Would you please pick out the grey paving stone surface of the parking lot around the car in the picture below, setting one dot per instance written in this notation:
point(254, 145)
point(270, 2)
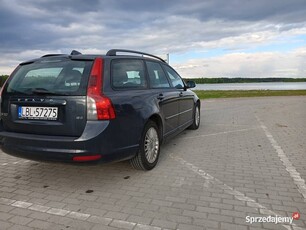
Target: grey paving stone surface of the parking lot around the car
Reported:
point(247, 160)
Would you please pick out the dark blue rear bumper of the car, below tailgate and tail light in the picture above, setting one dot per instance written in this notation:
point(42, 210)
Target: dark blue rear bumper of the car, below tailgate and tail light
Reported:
point(94, 141)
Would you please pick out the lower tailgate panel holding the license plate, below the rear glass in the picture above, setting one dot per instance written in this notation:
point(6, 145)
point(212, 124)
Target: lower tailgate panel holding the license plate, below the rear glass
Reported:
point(63, 116)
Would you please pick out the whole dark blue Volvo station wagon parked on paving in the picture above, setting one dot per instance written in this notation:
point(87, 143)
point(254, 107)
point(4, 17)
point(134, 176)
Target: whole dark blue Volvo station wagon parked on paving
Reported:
point(81, 108)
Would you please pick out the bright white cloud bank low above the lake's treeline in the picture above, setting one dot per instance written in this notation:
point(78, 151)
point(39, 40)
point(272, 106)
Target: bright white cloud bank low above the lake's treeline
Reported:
point(264, 64)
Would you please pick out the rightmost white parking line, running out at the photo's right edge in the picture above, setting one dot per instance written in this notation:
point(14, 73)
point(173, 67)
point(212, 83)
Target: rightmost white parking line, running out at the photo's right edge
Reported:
point(295, 175)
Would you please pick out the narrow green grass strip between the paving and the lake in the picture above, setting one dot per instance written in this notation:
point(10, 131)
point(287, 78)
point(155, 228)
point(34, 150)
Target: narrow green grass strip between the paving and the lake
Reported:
point(206, 94)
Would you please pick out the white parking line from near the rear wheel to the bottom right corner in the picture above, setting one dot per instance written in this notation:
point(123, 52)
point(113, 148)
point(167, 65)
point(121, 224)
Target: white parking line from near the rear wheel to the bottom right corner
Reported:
point(229, 190)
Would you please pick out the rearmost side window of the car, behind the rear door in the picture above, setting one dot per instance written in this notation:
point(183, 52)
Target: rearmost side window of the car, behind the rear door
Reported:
point(128, 74)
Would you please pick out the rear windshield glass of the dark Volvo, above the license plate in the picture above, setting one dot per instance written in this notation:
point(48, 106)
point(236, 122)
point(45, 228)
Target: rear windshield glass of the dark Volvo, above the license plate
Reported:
point(54, 77)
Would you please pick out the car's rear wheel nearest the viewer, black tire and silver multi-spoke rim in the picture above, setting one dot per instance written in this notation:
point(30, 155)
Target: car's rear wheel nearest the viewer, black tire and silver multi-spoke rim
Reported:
point(147, 156)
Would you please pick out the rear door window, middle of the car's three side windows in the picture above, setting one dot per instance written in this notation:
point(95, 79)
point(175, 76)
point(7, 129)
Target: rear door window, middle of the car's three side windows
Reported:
point(157, 76)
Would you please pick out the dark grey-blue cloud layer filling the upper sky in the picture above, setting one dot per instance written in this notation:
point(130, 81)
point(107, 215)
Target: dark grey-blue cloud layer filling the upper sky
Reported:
point(158, 27)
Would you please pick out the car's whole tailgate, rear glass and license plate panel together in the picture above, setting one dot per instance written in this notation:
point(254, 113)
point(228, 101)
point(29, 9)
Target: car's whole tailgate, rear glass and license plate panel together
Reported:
point(47, 96)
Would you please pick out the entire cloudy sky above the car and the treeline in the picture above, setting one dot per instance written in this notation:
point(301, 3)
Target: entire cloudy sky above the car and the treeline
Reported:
point(204, 38)
